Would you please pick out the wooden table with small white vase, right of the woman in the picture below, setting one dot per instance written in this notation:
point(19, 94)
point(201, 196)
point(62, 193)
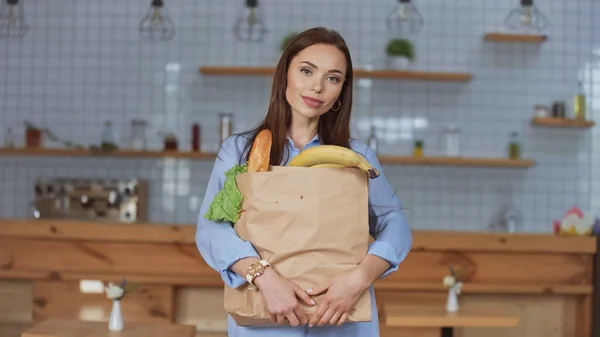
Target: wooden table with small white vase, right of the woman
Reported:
point(428, 317)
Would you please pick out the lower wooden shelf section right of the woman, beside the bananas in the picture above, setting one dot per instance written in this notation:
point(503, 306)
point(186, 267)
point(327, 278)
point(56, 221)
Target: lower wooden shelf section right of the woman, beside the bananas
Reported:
point(458, 161)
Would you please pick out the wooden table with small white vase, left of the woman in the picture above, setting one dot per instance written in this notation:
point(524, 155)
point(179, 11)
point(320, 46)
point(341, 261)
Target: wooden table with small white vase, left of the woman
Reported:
point(73, 328)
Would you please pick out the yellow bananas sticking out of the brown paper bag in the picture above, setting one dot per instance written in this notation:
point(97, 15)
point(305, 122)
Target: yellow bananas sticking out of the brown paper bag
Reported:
point(333, 154)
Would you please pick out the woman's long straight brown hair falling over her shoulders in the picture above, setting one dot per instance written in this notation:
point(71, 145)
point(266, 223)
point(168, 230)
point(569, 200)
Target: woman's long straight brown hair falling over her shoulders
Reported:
point(334, 126)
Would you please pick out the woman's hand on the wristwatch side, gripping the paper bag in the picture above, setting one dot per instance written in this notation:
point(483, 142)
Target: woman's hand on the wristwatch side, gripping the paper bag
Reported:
point(281, 298)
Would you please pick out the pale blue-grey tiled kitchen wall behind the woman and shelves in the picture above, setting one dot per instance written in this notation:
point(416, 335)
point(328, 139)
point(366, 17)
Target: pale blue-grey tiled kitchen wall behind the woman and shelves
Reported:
point(83, 63)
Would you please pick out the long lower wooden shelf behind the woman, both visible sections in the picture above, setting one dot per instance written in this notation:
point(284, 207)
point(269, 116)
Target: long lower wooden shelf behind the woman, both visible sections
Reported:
point(392, 160)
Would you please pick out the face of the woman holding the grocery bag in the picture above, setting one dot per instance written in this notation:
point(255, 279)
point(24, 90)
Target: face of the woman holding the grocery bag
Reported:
point(315, 79)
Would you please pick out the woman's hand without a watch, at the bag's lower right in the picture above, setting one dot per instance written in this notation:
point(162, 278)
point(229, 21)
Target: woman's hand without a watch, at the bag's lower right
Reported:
point(343, 293)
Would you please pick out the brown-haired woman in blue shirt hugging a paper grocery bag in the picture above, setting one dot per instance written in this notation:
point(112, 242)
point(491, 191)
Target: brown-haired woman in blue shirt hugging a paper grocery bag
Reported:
point(310, 104)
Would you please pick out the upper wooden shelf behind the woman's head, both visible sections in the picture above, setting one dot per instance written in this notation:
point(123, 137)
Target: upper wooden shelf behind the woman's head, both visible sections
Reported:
point(358, 73)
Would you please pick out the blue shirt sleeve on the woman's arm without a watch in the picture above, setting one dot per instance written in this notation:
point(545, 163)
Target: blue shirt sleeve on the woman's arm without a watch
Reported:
point(387, 224)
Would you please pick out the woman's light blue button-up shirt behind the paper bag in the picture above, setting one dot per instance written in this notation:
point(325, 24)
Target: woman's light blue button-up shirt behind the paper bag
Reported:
point(221, 247)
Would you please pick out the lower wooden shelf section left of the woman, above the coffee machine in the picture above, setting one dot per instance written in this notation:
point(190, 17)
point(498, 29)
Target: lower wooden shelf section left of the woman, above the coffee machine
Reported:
point(44, 152)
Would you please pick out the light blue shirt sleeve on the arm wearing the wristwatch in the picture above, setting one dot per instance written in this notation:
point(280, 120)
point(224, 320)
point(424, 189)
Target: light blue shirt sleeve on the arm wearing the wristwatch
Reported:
point(218, 243)
